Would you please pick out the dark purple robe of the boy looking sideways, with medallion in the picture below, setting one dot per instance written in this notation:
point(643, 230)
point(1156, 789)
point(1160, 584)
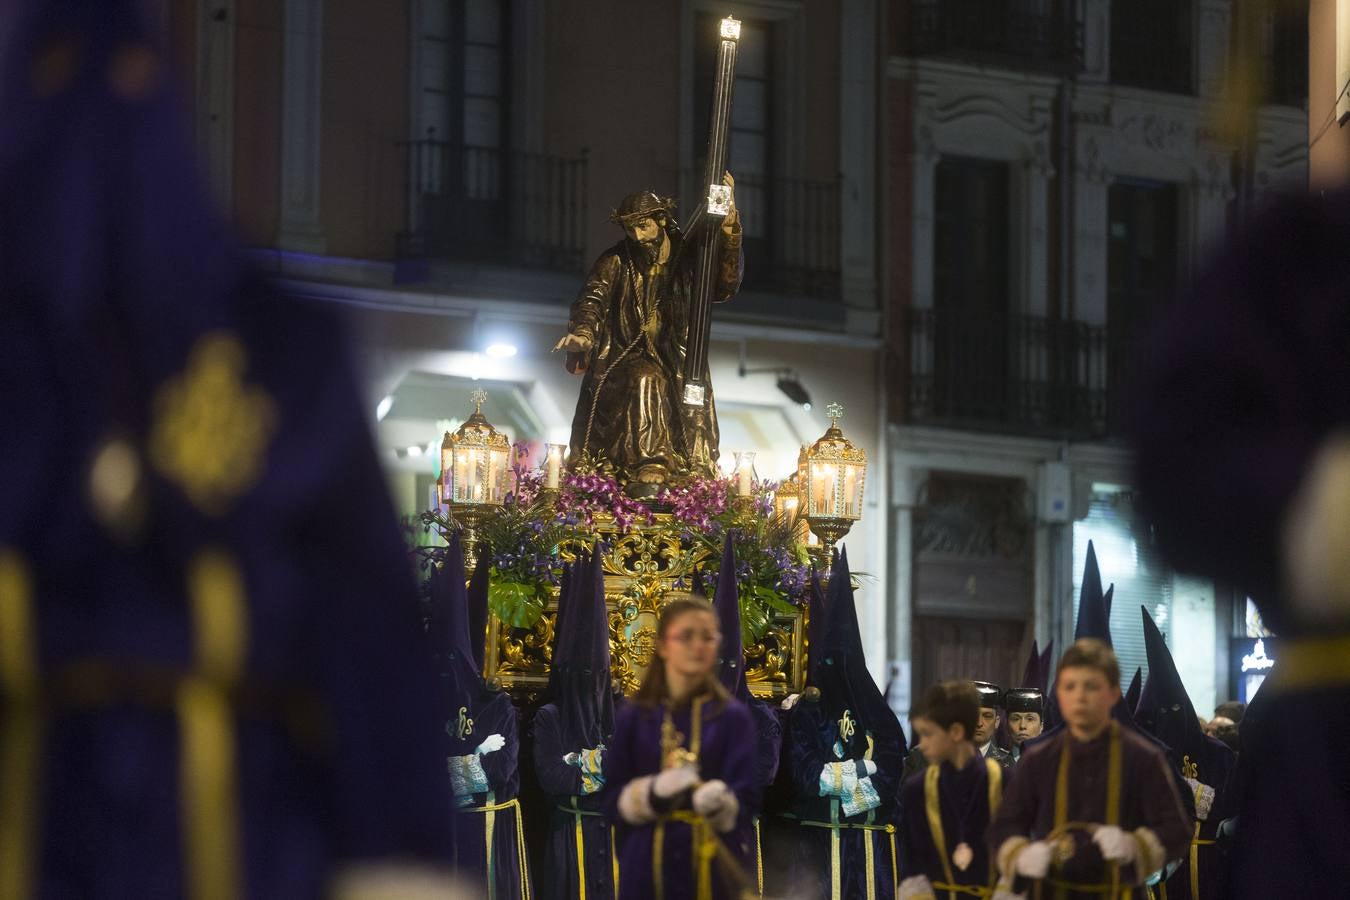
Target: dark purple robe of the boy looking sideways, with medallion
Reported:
point(965, 809)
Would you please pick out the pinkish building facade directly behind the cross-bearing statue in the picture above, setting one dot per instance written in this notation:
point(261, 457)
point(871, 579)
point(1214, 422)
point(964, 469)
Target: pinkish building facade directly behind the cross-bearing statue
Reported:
point(445, 171)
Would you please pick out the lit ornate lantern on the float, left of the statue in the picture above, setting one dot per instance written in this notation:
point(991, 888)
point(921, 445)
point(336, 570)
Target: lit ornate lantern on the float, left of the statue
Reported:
point(475, 469)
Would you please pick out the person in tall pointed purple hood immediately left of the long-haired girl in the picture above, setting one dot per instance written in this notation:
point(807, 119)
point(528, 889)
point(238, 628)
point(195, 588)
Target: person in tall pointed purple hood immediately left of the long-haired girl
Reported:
point(572, 733)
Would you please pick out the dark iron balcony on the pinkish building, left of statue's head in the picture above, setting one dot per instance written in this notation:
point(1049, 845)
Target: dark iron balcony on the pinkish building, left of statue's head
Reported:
point(484, 204)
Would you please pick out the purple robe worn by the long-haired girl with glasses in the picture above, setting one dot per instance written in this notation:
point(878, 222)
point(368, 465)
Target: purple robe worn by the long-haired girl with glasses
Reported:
point(724, 754)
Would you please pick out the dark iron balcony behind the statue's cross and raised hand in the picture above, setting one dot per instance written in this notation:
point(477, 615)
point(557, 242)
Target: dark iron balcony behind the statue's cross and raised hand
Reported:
point(792, 233)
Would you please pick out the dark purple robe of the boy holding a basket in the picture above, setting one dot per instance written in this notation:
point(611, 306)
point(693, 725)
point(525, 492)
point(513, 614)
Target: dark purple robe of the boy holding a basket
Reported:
point(1148, 801)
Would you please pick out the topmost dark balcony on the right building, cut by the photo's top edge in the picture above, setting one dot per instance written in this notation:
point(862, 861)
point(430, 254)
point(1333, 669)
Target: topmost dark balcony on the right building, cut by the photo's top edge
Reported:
point(1019, 34)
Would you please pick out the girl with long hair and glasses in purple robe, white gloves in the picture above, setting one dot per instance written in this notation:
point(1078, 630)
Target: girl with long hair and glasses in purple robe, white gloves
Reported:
point(682, 774)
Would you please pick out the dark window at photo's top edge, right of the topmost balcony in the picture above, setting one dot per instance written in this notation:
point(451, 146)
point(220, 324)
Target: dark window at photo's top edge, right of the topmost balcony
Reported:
point(1151, 44)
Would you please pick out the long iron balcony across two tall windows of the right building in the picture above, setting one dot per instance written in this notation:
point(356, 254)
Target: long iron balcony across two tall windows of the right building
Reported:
point(1012, 374)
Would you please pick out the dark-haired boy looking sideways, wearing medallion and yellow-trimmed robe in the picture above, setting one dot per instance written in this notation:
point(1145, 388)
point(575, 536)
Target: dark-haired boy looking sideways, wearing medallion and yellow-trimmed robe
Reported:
point(950, 805)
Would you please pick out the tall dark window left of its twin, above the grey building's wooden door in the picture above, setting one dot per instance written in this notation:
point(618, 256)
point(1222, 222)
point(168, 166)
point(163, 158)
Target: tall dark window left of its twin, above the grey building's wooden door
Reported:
point(971, 291)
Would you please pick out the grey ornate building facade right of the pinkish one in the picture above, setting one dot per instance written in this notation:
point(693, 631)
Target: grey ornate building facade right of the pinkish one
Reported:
point(1054, 173)
